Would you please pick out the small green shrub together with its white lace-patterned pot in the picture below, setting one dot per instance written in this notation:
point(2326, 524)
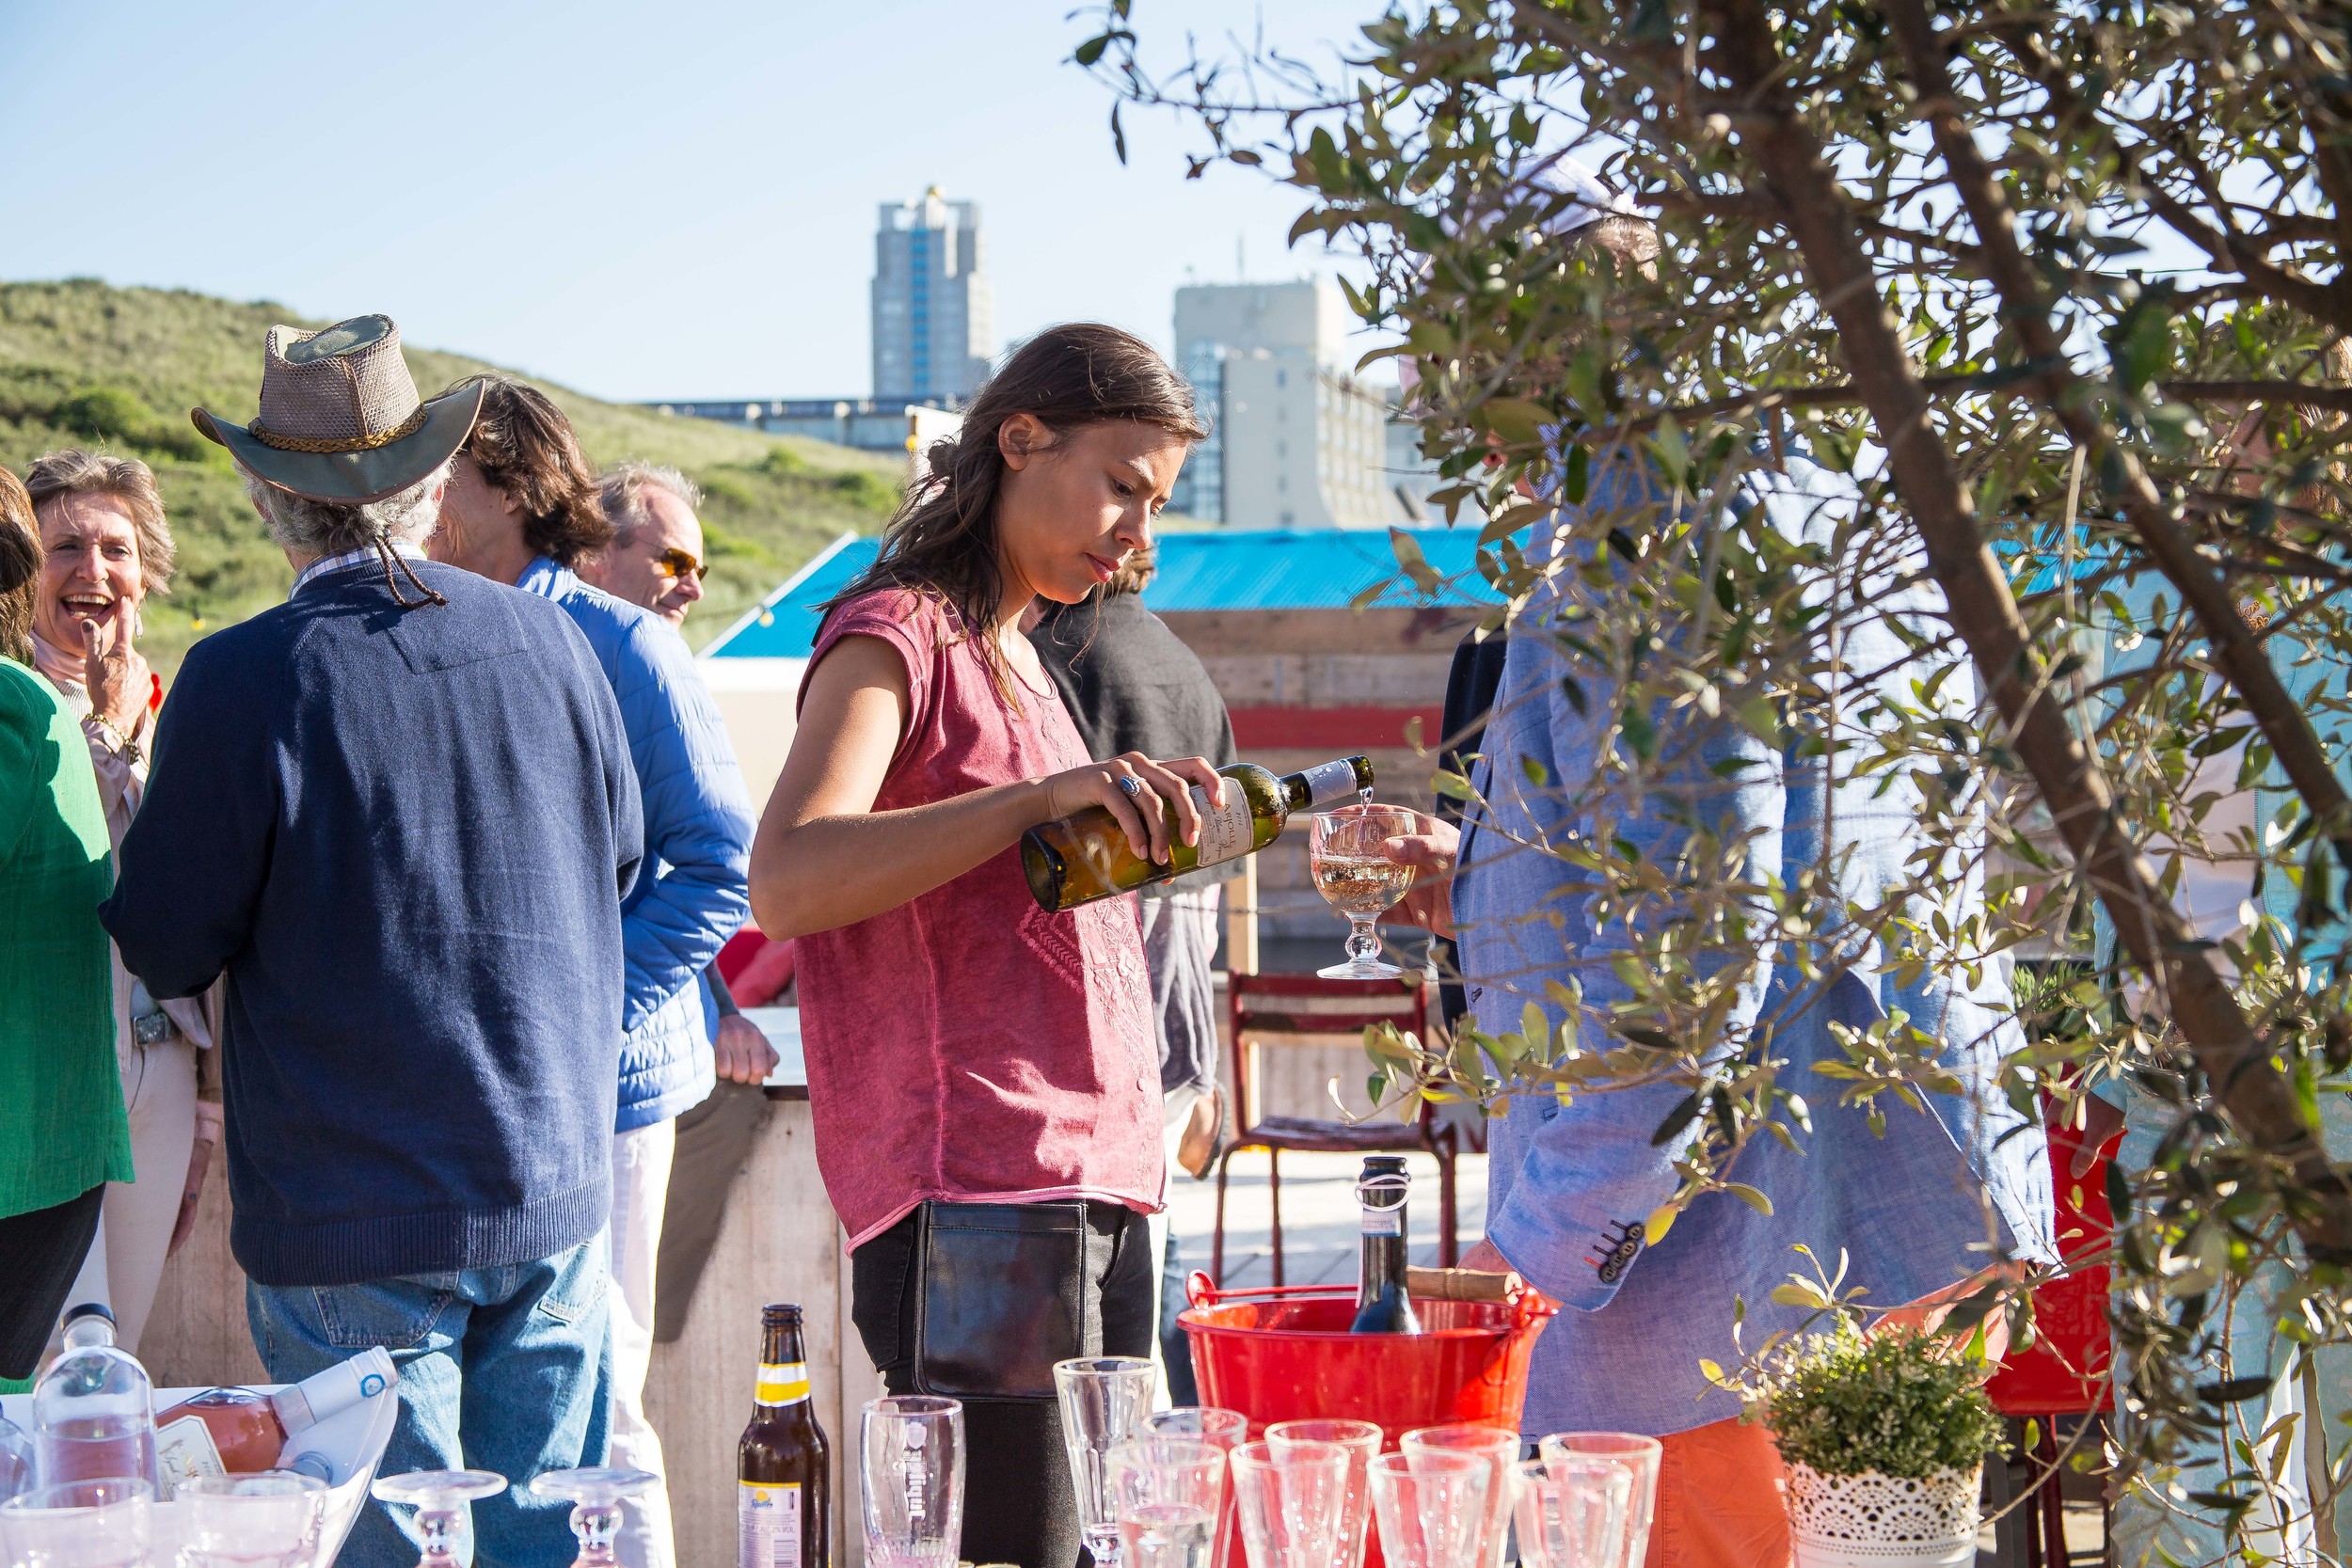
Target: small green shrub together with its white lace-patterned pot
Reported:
point(1885, 1440)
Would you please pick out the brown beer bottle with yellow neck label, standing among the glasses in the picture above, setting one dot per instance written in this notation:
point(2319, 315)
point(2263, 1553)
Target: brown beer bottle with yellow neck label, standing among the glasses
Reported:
point(784, 1468)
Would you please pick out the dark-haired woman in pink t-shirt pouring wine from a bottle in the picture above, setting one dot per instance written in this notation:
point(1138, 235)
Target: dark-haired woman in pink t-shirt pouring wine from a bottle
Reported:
point(982, 1071)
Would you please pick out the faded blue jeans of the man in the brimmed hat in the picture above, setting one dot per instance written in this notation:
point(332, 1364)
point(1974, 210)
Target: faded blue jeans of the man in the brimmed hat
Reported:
point(497, 1372)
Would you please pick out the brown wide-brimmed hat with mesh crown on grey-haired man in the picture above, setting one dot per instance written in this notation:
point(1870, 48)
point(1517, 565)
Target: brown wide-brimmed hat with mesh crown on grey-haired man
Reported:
point(340, 415)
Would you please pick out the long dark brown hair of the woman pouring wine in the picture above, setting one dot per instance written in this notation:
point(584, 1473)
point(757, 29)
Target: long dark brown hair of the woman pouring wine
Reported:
point(944, 540)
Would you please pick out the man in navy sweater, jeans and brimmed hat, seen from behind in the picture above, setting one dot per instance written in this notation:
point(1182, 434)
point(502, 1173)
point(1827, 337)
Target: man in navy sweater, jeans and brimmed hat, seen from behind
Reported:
point(399, 815)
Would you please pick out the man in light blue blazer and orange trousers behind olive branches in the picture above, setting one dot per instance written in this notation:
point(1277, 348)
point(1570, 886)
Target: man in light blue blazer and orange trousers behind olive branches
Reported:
point(1935, 1200)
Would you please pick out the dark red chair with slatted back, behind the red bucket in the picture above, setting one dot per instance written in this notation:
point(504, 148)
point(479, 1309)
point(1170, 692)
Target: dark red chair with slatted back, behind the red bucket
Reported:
point(1307, 1010)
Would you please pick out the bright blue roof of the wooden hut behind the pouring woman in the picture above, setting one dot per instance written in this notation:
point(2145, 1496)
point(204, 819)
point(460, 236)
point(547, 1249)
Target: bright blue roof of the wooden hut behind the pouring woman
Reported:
point(1241, 570)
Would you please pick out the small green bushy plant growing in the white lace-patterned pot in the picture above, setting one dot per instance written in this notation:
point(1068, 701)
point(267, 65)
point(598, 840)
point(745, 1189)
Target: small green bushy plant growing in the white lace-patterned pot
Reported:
point(1895, 1402)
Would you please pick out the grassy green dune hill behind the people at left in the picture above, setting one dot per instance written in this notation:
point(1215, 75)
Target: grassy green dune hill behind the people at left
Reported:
point(91, 366)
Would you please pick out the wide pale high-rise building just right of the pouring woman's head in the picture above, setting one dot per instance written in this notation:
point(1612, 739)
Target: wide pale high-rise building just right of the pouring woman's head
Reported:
point(1295, 438)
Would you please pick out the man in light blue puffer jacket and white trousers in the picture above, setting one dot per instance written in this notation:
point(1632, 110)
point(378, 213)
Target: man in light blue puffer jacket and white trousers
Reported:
point(523, 509)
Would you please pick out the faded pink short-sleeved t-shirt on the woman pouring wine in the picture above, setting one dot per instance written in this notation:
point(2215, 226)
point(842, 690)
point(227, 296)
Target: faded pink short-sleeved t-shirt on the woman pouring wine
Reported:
point(970, 1045)
